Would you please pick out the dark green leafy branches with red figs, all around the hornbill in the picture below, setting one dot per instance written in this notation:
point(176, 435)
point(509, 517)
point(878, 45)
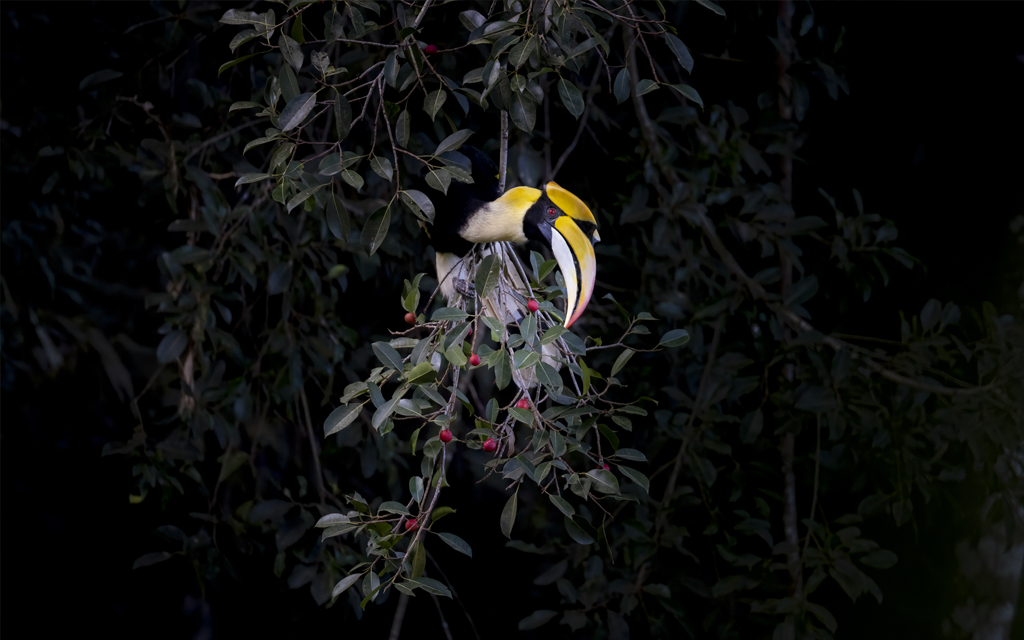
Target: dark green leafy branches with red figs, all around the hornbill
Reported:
point(756, 453)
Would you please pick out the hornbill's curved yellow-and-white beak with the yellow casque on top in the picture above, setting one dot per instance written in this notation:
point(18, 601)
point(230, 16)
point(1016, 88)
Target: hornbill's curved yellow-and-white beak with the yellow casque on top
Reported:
point(573, 243)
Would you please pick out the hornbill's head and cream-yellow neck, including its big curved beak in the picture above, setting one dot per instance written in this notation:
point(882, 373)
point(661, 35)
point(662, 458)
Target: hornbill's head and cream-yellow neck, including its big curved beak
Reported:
point(553, 217)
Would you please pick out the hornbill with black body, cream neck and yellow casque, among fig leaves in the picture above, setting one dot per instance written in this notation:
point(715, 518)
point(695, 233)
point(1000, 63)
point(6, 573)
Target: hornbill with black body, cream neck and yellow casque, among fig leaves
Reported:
point(480, 214)
